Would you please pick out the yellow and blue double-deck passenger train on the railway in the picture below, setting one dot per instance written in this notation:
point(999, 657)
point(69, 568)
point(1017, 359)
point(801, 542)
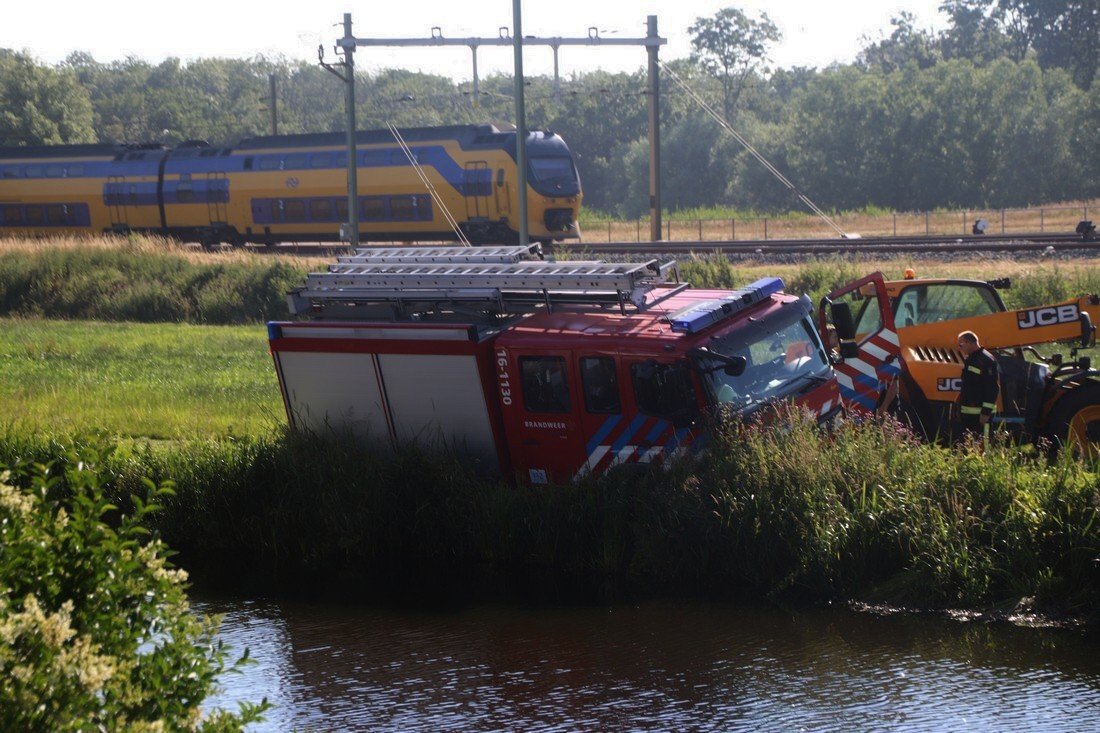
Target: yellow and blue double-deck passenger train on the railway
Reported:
point(293, 189)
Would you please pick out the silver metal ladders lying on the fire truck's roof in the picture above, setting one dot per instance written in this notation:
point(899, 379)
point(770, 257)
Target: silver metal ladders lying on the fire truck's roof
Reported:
point(398, 282)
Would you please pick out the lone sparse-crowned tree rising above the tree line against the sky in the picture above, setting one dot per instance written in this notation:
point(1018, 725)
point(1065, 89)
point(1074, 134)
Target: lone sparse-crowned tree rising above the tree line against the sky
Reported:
point(731, 46)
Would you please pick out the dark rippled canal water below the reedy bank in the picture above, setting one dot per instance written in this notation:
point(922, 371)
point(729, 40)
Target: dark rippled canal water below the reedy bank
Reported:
point(656, 666)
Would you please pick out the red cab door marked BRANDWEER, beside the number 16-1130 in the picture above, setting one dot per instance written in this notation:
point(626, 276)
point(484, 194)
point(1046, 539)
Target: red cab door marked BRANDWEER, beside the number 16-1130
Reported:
point(545, 434)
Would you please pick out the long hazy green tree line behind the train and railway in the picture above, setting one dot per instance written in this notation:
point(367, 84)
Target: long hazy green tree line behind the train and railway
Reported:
point(997, 111)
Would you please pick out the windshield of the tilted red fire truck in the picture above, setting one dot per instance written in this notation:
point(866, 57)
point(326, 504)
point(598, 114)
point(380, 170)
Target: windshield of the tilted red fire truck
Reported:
point(780, 352)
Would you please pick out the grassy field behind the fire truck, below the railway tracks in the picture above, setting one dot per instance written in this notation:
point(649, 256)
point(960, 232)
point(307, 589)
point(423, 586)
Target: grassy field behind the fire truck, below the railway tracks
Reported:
point(64, 368)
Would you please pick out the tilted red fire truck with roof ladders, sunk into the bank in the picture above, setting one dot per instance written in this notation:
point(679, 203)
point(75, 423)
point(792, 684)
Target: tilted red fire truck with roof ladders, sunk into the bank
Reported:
point(548, 371)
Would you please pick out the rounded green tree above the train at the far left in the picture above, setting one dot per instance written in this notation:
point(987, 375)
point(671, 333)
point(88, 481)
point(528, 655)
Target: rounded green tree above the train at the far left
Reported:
point(40, 105)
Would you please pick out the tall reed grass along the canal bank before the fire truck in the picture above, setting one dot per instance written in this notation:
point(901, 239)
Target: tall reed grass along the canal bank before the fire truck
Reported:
point(865, 513)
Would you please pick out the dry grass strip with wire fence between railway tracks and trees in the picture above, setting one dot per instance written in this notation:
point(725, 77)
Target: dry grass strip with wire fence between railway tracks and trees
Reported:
point(724, 223)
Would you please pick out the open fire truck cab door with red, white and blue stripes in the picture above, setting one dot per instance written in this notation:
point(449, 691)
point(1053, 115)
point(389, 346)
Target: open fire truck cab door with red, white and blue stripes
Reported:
point(872, 360)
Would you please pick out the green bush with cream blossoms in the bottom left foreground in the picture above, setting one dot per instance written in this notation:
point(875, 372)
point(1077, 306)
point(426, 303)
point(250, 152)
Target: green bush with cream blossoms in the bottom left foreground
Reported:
point(96, 632)
